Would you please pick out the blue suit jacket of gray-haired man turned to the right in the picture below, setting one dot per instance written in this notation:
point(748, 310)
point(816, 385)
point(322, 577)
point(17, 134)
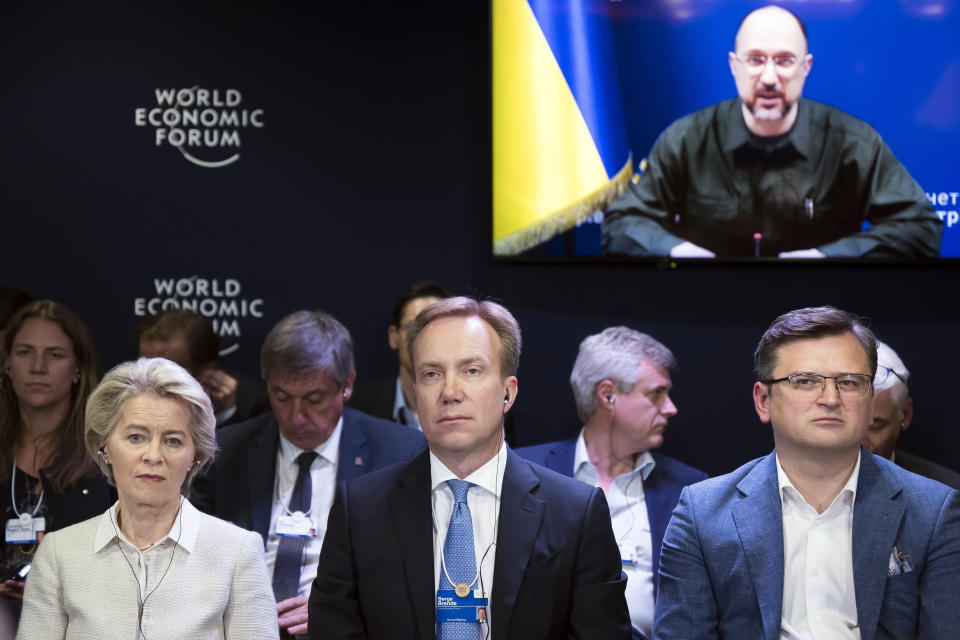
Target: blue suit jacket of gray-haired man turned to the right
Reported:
point(661, 490)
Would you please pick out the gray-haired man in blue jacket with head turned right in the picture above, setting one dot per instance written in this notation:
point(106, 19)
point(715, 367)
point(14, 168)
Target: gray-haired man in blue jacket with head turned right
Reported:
point(621, 385)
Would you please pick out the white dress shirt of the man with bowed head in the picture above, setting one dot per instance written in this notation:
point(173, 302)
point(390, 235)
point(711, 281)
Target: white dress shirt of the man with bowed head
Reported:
point(323, 481)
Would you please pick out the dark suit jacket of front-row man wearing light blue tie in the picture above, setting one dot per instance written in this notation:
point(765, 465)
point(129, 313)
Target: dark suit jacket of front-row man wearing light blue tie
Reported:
point(556, 573)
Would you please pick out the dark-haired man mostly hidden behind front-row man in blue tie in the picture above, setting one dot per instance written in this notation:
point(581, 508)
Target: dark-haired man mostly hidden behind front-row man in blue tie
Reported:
point(394, 399)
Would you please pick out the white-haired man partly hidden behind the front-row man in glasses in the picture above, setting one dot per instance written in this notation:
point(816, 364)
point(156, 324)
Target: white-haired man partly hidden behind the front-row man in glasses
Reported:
point(892, 413)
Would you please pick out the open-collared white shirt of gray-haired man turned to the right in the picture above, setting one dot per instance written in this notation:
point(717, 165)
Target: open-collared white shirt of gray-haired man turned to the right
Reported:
point(631, 528)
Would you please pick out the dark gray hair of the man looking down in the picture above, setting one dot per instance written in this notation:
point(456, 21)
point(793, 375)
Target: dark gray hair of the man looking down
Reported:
point(308, 341)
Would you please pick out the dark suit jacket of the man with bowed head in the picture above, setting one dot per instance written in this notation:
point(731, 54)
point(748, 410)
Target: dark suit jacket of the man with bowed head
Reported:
point(238, 486)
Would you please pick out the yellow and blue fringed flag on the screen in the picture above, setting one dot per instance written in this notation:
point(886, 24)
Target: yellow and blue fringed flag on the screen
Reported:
point(559, 145)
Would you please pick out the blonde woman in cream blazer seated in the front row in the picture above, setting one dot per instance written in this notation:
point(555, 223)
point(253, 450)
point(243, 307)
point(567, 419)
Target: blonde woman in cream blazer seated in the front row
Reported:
point(152, 567)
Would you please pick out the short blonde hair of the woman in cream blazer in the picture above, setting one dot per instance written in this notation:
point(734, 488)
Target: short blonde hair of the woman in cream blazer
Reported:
point(159, 378)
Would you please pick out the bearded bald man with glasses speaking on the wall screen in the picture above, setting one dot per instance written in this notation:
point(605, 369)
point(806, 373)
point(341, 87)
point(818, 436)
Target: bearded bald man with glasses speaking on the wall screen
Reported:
point(772, 174)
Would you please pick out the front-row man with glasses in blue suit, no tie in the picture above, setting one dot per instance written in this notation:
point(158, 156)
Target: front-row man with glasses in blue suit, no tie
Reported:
point(821, 538)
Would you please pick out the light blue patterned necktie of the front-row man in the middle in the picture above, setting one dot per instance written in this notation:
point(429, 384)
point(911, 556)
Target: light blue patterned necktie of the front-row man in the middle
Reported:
point(460, 560)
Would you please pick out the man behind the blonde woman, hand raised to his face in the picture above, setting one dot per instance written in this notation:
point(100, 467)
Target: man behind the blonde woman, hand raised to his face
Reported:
point(189, 340)
